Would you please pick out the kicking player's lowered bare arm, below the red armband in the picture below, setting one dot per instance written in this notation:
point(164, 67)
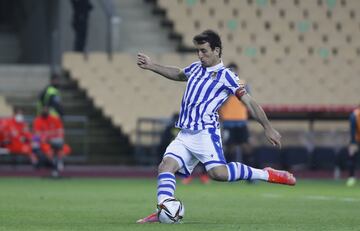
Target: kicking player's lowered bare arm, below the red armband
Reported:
point(259, 115)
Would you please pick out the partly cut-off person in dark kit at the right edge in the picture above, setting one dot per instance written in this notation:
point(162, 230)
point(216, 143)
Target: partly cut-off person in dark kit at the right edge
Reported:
point(353, 148)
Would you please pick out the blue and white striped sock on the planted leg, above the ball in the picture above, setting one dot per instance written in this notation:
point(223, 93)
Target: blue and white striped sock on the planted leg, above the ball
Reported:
point(166, 186)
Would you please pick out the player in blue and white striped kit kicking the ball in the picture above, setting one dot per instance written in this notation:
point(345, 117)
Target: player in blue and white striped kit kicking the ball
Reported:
point(209, 84)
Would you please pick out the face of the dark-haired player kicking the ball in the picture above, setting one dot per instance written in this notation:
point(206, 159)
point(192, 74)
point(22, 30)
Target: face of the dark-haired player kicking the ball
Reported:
point(207, 56)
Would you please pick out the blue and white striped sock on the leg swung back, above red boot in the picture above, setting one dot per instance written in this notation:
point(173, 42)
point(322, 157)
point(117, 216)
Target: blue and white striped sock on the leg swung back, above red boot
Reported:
point(238, 171)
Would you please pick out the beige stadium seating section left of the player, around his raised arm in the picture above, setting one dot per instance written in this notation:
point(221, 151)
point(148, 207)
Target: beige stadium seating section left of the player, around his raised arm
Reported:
point(118, 85)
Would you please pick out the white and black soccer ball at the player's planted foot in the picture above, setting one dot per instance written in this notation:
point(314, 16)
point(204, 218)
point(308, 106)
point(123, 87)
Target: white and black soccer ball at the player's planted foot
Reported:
point(171, 211)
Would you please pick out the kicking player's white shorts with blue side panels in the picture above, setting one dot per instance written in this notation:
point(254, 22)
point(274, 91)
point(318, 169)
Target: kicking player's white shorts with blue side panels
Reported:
point(190, 147)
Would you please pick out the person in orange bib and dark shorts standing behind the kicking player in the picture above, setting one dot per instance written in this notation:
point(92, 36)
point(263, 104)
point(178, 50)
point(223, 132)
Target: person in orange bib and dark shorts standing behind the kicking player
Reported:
point(234, 117)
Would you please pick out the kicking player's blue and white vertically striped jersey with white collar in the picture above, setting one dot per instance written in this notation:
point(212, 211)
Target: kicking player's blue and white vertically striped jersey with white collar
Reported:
point(206, 90)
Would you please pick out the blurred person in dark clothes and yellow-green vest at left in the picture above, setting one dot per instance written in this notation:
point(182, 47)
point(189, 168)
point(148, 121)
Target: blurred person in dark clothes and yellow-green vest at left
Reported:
point(50, 97)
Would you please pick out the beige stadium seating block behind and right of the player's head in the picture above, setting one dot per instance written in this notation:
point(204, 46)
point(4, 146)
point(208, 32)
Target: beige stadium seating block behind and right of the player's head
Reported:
point(281, 43)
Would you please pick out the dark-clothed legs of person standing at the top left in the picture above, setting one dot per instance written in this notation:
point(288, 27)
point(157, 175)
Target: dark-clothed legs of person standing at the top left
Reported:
point(81, 11)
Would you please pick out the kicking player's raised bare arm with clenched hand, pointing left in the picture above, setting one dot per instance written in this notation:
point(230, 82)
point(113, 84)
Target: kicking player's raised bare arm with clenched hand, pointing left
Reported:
point(173, 73)
